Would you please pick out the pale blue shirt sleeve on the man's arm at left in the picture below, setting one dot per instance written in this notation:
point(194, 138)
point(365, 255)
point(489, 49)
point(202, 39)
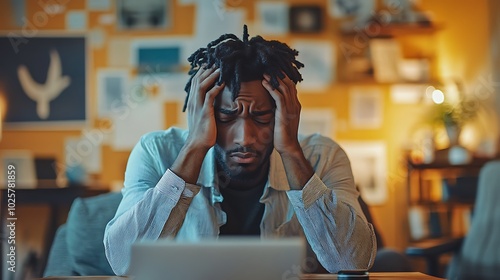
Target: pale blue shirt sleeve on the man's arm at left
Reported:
point(150, 199)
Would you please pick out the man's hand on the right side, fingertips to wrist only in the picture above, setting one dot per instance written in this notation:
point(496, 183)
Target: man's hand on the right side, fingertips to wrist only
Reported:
point(287, 115)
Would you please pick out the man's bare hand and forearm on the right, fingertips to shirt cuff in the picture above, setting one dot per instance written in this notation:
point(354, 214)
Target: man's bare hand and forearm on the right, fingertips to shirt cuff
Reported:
point(286, 129)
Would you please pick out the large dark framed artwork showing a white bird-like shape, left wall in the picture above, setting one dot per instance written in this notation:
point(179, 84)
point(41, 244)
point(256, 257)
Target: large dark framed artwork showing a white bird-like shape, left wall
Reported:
point(43, 80)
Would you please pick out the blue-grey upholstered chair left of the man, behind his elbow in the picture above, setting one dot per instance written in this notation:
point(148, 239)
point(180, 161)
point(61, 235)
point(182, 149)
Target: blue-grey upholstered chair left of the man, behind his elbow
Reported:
point(78, 247)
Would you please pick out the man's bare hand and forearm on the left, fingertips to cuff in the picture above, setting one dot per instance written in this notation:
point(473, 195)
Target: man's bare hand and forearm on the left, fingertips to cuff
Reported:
point(201, 122)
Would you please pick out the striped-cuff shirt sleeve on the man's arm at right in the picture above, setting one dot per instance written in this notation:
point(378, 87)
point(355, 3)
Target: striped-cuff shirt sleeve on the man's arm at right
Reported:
point(332, 220)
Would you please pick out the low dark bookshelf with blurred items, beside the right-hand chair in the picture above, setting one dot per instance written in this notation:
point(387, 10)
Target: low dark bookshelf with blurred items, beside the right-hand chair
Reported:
point(441, 198)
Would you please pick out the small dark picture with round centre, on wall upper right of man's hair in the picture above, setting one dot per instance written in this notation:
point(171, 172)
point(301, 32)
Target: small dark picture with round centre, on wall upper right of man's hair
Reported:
point(306, 19)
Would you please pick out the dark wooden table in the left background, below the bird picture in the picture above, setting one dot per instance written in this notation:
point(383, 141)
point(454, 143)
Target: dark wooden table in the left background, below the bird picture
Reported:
point(56, 198)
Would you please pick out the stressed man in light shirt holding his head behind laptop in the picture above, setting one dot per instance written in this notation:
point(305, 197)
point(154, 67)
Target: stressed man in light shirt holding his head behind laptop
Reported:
point(242, 168)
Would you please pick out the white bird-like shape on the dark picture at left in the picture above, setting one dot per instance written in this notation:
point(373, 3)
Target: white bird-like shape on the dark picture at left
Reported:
point(42, 94)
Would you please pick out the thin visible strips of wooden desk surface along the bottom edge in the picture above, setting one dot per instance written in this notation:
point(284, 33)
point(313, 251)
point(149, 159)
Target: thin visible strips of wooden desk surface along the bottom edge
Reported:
point(373, 276)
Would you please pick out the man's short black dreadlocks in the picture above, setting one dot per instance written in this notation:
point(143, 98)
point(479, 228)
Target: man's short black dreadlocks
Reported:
point(244, 61)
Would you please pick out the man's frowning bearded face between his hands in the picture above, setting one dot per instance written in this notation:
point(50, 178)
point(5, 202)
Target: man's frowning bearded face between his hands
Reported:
point(245, 130)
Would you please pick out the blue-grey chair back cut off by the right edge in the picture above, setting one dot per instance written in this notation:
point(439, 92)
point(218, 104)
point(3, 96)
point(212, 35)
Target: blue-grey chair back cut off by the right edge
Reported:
point(479, 257)
